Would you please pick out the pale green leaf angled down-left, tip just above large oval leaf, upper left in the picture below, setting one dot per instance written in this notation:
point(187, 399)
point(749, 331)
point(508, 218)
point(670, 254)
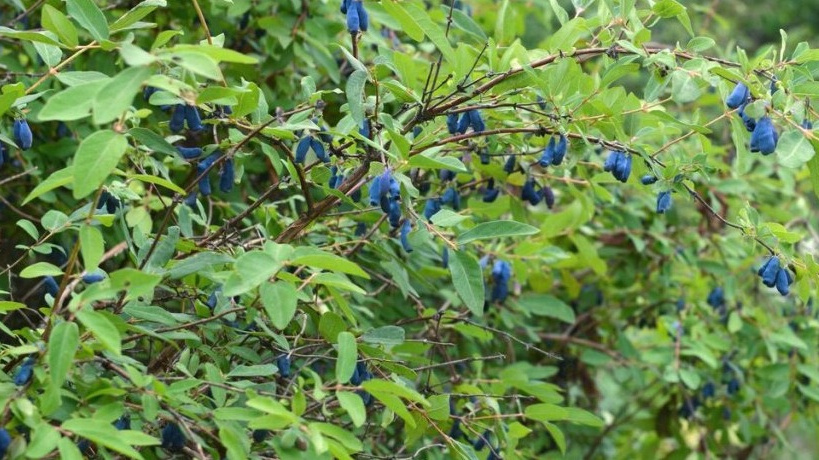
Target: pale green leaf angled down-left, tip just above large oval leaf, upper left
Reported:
point(117, 95)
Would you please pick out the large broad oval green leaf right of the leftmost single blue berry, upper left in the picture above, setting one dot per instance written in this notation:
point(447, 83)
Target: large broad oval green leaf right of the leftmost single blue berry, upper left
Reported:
point(97, 156)
